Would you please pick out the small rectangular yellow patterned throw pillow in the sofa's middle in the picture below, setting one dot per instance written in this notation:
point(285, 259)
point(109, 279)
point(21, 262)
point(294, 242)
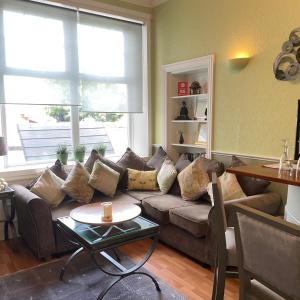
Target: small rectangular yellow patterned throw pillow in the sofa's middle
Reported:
point(142, 180)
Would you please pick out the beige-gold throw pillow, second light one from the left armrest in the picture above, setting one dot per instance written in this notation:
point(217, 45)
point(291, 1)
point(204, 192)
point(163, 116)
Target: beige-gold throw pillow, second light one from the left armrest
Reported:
point(76, 184)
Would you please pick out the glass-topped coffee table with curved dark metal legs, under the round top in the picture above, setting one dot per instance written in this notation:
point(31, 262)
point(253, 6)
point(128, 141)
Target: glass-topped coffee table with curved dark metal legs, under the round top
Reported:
point(97, 239)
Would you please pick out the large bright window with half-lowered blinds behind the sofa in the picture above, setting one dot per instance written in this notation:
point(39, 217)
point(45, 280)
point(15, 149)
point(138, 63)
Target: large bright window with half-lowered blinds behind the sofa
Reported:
point(68, 78)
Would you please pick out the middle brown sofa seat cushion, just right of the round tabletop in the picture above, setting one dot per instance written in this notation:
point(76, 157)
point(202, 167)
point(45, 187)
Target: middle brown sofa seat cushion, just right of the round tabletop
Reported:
point(158, 207)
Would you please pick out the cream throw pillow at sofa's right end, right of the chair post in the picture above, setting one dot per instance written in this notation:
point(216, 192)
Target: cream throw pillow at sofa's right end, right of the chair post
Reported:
point(230, 187)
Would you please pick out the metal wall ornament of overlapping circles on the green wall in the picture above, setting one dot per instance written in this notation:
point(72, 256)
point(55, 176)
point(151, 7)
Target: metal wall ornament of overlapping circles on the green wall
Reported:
point(287, 64)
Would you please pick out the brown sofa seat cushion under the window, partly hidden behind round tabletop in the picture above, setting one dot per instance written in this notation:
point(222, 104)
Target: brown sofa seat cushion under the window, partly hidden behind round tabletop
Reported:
point(65, 207)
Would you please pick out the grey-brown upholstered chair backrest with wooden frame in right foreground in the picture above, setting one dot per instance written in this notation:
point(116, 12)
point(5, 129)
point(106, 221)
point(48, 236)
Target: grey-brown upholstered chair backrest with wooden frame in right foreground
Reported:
point(269, 251)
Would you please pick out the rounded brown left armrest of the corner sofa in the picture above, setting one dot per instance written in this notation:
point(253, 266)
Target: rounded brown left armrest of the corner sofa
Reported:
point(34, 222)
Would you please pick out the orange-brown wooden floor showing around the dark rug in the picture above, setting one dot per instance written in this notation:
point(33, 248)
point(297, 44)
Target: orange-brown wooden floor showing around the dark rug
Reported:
point(177, 270)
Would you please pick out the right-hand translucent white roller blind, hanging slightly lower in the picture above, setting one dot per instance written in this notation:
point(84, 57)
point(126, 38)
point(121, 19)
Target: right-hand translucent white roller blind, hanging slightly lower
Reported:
point(110, 64)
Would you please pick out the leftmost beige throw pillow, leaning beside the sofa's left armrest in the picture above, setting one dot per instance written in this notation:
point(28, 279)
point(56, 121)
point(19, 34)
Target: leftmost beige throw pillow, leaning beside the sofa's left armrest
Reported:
point(48, 186)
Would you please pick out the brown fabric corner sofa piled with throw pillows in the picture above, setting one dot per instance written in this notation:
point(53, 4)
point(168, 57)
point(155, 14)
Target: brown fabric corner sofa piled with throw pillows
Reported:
point(185, 225)
